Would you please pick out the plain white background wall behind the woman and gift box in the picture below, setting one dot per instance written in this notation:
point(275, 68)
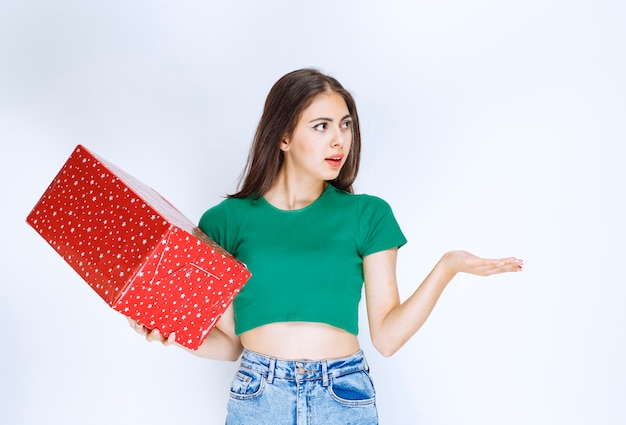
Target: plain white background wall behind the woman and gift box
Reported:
point(496, 127)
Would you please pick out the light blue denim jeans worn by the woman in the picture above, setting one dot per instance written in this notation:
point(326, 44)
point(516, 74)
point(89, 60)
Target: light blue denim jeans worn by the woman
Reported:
point(268, 391)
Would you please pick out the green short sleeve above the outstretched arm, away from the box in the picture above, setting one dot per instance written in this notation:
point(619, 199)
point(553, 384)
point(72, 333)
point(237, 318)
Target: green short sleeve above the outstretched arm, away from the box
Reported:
point(378, 227)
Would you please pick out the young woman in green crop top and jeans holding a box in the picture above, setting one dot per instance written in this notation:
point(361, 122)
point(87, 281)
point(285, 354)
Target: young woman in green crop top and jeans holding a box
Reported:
point(311, 245)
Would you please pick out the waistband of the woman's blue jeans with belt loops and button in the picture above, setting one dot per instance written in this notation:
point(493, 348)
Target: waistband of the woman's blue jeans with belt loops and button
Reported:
point(303, 370)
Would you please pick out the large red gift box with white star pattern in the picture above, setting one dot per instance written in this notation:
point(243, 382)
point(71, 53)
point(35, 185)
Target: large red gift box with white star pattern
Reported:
point(136, 250)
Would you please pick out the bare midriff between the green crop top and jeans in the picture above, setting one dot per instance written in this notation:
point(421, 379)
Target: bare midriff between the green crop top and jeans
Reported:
point(300, 341)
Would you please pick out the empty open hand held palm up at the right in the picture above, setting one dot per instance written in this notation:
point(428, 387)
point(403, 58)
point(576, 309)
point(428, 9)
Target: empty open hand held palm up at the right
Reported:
point(465, 262)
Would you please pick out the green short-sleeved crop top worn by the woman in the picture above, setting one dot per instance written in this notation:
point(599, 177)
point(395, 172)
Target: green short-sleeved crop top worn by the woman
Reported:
point(307, 264)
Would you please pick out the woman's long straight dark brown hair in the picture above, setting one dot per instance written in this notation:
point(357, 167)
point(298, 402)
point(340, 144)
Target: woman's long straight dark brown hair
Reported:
point(289, 96)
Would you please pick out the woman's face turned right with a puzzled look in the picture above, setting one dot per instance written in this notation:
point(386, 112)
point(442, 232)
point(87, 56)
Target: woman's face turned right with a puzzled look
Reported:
point(321, 140)
